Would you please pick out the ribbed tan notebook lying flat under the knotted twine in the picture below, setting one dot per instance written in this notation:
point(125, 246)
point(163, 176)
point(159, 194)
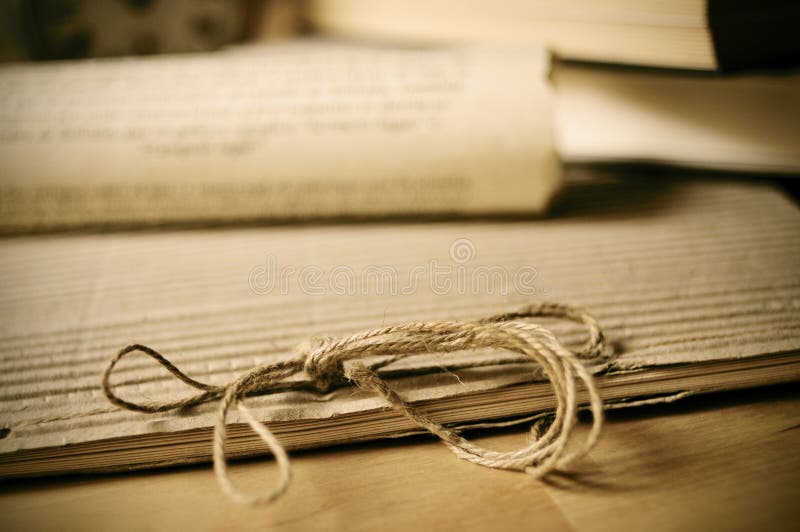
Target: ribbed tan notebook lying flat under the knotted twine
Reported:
point(694, 282)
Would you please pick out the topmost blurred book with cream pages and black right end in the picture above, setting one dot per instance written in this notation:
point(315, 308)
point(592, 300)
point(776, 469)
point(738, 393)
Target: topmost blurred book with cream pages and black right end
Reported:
point(690, 34)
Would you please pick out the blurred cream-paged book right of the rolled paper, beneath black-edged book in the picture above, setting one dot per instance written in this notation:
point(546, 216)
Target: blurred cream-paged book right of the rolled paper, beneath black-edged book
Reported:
point(744, 122)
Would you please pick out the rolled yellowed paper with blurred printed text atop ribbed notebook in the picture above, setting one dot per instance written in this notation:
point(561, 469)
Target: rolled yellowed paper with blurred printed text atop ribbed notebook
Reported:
point(307, 129)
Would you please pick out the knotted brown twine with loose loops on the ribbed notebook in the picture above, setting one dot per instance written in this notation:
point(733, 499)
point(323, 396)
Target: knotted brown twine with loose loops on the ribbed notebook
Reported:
point(324, 362)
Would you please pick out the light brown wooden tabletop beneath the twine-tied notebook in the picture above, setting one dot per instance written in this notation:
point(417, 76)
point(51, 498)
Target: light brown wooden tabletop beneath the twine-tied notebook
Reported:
point(724, 462)
